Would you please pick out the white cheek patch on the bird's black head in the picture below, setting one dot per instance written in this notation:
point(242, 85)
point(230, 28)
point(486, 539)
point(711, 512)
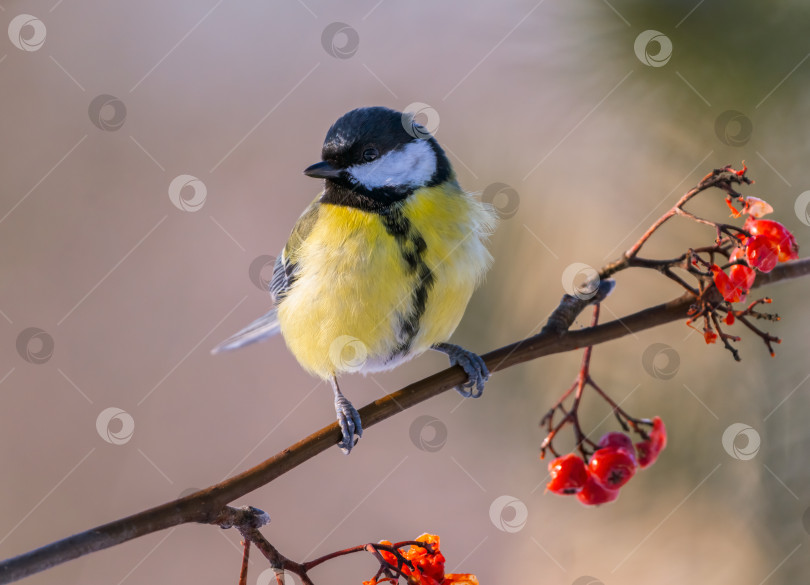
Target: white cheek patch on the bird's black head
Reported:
point(412, 166)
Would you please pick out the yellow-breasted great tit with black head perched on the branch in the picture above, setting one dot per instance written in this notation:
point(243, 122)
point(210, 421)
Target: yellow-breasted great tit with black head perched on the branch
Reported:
point(382, 263)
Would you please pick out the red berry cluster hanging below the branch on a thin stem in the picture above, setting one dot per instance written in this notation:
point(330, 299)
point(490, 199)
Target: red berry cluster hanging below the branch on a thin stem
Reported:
point(610, 467)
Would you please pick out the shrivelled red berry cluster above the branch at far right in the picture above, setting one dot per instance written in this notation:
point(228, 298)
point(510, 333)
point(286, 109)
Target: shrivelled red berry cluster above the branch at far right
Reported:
point(769, 243)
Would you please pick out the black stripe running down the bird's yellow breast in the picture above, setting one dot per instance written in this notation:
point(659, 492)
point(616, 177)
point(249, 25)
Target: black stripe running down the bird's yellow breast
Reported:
point(412, 246)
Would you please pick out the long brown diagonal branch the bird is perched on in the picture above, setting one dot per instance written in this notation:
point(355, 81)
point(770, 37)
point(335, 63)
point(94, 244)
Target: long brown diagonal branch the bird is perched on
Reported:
point(209, 506)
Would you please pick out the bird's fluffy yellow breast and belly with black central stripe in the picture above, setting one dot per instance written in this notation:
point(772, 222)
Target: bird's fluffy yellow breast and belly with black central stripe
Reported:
point(373, 290)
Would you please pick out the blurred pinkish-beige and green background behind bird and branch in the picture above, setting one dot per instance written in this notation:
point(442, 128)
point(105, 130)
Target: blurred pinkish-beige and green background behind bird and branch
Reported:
point(151, 159)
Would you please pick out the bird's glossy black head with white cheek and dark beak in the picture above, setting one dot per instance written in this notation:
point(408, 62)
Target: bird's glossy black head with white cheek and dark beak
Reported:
point(373, 157)
